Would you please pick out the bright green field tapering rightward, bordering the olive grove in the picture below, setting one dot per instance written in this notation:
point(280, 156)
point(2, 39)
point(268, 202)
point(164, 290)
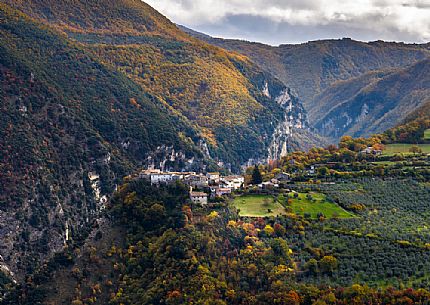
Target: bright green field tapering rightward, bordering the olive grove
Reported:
point(318, 204)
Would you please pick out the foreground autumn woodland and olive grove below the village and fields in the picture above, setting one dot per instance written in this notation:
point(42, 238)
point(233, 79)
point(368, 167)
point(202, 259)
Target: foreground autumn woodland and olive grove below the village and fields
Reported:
point(174, 253)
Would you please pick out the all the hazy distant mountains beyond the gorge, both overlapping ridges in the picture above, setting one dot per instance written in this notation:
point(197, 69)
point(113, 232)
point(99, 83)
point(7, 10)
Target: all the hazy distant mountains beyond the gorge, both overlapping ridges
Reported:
point(346, 86)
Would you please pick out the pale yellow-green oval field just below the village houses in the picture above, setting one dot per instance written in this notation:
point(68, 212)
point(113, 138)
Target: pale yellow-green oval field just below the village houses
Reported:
point(253, 206)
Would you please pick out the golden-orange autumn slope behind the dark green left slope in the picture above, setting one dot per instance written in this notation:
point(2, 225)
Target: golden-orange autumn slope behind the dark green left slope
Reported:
point(221, 93)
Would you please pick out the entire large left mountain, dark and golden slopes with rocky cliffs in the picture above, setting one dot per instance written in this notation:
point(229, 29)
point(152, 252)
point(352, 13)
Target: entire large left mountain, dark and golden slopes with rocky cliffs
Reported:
point(93, 90)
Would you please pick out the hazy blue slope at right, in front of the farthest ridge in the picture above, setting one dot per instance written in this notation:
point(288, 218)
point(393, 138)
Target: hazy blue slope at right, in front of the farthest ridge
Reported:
point(374, 102)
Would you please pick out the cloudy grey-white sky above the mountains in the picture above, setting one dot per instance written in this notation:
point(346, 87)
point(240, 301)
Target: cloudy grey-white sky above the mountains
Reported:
point(294, 21)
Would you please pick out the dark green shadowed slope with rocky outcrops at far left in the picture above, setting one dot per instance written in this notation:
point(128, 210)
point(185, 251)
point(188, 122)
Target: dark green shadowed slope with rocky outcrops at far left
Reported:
point(70, 129)
